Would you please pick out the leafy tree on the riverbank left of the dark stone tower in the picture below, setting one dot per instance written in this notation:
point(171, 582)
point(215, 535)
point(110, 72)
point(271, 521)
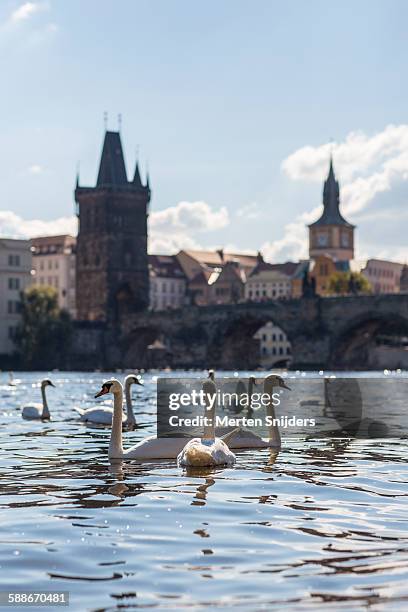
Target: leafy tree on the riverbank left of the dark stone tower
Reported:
point(44, 334)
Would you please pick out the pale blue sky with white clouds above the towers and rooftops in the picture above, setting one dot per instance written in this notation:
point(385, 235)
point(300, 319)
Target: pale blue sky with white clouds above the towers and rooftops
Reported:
point(232, 106)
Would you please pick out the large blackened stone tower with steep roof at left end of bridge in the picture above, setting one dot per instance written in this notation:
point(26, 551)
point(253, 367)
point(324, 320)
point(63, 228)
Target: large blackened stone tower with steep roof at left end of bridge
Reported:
point(112, 276)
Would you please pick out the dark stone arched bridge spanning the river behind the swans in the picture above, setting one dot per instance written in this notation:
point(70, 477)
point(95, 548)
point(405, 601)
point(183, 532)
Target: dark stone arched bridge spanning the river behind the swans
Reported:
point(330, 332)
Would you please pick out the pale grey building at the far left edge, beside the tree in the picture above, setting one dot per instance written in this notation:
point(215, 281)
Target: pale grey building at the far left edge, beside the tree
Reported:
point(15, 277)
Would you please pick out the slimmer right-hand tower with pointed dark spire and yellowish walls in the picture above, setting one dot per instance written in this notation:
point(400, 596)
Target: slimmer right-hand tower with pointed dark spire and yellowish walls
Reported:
point(331, 234)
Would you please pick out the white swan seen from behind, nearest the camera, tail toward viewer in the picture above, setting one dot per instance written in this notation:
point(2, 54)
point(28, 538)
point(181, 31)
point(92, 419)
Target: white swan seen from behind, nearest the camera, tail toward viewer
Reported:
point(207, 451)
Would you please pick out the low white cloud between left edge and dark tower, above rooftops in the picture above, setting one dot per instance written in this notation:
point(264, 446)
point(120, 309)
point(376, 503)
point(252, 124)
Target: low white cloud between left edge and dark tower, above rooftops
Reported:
point(13, 226)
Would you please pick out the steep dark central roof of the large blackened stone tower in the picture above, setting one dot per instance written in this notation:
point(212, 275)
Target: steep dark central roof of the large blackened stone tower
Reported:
point(112, 171)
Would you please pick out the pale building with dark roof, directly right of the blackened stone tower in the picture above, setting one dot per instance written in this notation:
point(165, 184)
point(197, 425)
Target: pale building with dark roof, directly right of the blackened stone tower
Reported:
point(168, 283)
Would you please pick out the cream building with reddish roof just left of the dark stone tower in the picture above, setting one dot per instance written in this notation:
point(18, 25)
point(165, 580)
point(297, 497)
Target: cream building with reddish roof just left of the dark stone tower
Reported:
point(54, 266)
